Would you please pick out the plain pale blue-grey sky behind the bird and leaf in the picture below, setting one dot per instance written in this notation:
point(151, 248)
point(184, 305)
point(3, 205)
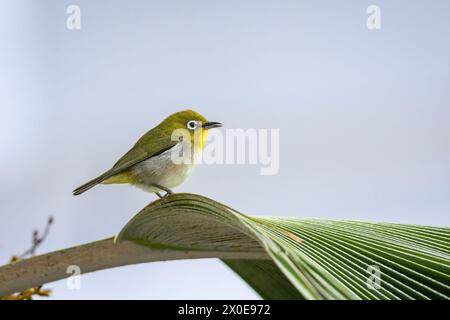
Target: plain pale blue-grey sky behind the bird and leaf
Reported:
point(363, 117)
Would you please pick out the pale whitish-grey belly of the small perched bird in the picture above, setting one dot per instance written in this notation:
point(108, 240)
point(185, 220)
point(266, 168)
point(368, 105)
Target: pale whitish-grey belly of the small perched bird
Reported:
point(162, 170)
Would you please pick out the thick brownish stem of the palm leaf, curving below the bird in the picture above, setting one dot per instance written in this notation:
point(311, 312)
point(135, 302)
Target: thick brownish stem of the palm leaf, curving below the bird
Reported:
point(98, 255)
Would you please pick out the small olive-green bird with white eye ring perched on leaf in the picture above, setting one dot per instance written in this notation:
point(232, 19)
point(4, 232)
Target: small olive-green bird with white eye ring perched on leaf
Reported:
point(150, 164)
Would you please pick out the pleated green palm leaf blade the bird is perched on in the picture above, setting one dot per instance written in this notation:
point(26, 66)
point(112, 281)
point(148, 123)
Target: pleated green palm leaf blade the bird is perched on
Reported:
point(321, 259)
